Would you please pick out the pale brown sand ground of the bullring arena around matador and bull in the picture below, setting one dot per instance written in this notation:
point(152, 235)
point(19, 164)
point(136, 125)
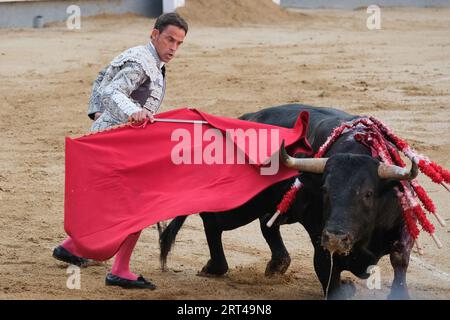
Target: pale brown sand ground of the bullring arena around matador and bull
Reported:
point(400, 74)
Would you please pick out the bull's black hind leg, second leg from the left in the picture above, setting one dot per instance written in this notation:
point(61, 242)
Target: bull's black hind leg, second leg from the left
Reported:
point(280, 261)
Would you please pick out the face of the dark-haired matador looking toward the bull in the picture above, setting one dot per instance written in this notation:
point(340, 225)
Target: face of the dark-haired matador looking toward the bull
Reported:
point(167, 42)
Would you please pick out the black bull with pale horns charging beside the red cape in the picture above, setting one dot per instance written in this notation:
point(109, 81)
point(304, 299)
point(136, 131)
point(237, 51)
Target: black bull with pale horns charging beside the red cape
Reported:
point(348, 209)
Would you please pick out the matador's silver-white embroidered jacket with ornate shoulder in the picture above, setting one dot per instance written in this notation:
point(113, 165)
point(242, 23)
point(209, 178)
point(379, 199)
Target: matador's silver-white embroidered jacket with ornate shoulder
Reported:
point(133, 80)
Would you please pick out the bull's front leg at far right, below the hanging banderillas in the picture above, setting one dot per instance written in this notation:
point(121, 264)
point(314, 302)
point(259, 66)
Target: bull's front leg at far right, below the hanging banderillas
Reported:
point(399, 255)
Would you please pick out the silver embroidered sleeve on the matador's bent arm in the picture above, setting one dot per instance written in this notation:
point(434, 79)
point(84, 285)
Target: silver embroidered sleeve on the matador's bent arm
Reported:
point(116, 95)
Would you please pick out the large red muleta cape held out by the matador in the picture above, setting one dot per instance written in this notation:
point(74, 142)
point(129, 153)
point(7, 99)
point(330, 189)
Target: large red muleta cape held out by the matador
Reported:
point(123, 180)
